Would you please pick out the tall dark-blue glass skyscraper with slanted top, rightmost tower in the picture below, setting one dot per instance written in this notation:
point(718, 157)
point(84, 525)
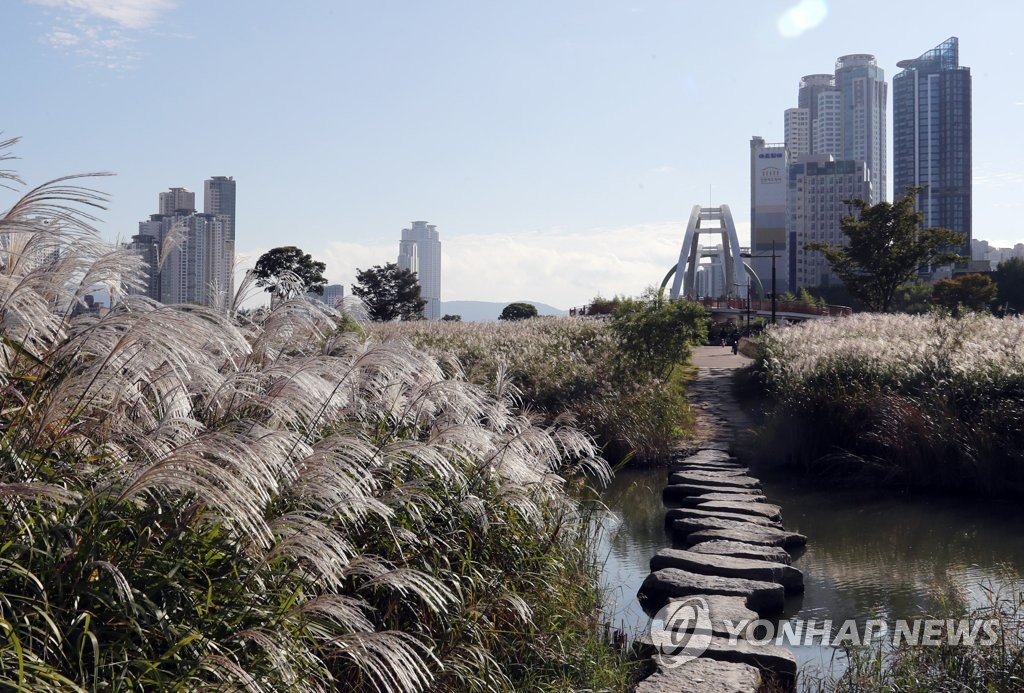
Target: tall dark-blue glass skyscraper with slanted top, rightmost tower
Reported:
point(932, 137)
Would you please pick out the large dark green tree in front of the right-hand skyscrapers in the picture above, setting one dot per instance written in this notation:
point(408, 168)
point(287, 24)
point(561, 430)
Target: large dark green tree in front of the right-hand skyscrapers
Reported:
point(886, 248)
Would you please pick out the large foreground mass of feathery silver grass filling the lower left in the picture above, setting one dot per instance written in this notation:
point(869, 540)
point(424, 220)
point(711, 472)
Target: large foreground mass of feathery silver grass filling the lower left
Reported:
point(192, 501)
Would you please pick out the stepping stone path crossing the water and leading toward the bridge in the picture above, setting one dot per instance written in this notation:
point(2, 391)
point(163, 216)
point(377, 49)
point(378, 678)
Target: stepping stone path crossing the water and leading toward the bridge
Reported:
point(735, 565)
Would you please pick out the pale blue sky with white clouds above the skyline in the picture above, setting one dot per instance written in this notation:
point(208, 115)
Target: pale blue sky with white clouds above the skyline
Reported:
point(559, 146)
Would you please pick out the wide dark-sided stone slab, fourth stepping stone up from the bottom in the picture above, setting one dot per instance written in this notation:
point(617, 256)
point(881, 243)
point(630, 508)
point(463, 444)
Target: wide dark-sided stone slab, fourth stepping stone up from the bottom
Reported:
point(661, 586)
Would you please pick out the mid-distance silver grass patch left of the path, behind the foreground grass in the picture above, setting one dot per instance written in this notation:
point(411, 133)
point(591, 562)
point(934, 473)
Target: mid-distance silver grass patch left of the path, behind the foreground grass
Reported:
point(561, 367)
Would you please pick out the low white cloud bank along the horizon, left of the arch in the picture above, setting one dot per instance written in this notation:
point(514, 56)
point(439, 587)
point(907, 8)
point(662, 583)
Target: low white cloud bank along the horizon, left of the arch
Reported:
point(558, 268)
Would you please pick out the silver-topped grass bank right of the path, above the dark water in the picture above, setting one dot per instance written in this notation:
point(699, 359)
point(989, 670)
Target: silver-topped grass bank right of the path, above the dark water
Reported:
point(926, 402)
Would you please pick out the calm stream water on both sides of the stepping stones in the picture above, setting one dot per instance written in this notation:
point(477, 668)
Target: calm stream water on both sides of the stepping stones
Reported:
point(869, 556)
